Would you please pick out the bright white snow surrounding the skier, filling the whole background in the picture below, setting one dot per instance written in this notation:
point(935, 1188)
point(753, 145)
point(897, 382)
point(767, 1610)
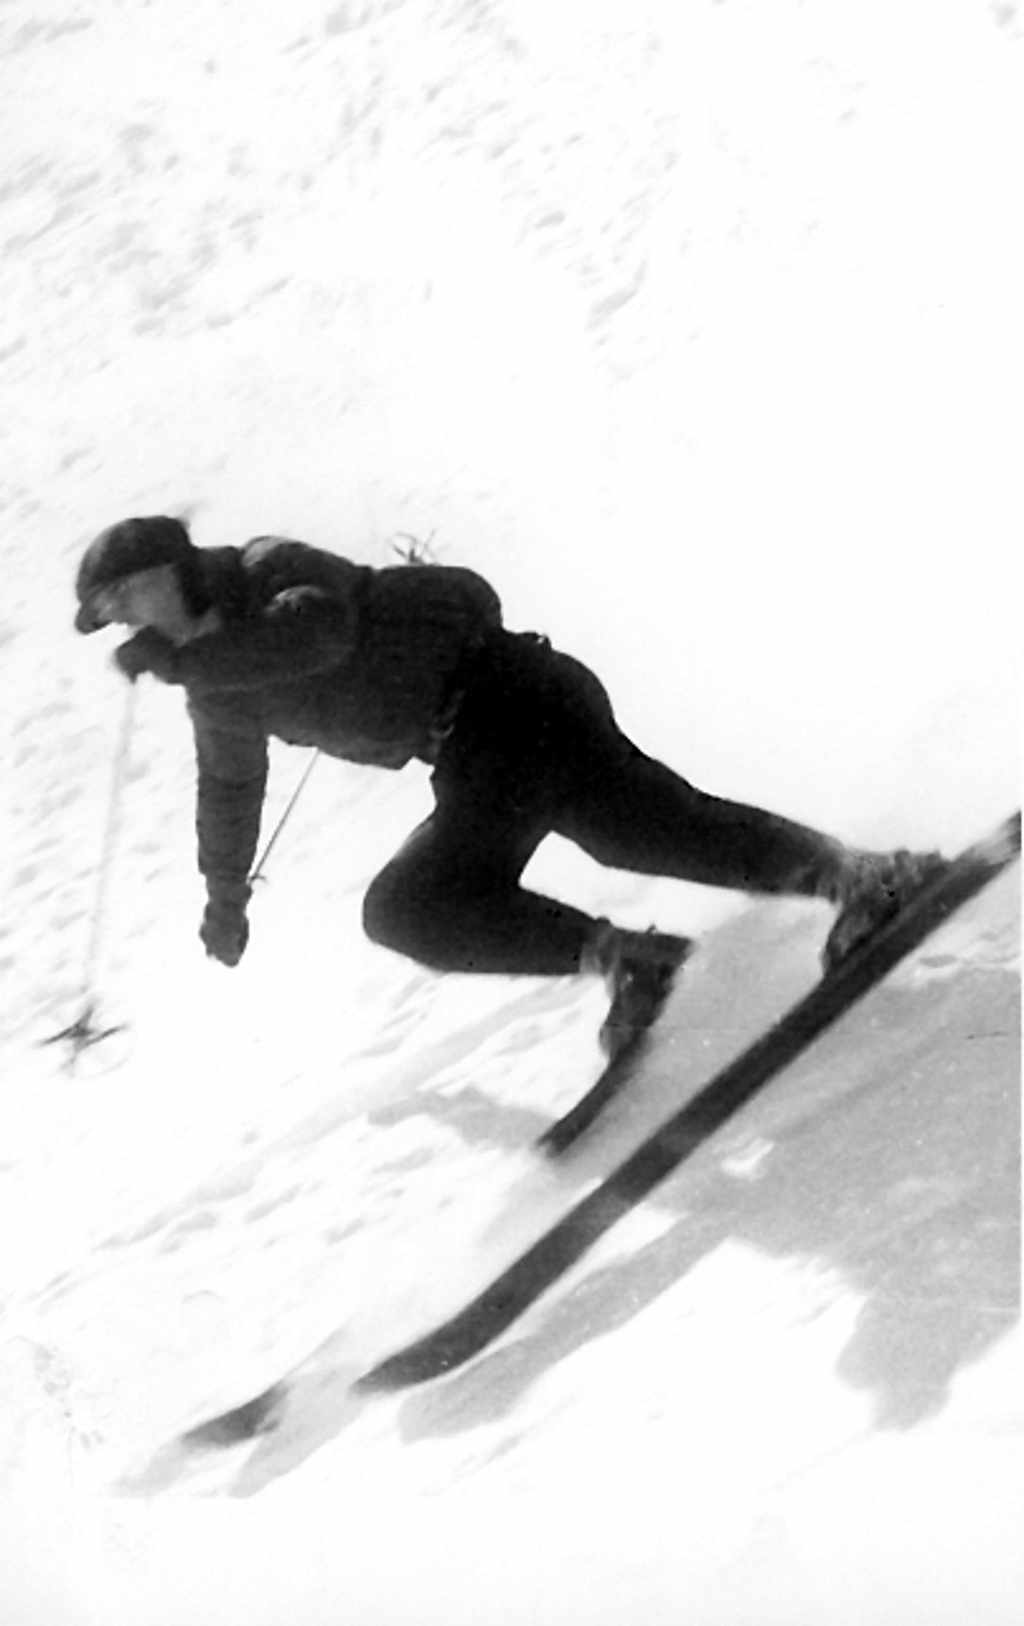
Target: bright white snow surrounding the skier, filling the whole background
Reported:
point(696, 329)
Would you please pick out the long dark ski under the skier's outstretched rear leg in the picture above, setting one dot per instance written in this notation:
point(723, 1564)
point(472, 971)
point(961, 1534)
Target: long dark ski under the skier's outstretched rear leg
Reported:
point(480, 1323)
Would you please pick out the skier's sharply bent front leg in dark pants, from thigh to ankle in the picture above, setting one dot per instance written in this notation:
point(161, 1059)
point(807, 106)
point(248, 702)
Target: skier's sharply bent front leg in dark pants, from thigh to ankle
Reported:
point(451, 900)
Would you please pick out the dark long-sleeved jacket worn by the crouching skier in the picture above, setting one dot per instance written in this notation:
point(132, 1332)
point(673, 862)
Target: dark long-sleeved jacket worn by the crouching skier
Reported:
point(313, 650)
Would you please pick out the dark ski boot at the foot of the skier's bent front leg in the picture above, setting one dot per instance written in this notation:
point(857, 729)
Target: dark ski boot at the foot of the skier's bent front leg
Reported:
point(640, 970)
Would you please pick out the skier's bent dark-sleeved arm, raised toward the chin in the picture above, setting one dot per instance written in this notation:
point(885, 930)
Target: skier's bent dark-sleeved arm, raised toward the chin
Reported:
point(302, 632)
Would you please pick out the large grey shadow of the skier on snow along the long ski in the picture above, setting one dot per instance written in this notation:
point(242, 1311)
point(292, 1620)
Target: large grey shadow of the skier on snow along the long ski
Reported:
point(893, 1165)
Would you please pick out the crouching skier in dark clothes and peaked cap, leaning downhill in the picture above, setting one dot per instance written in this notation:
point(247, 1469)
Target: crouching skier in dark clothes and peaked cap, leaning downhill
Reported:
point(414, 663)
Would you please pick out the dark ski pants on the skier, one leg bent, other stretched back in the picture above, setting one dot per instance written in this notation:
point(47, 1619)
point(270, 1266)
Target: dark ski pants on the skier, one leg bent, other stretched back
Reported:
point(536, 750)
